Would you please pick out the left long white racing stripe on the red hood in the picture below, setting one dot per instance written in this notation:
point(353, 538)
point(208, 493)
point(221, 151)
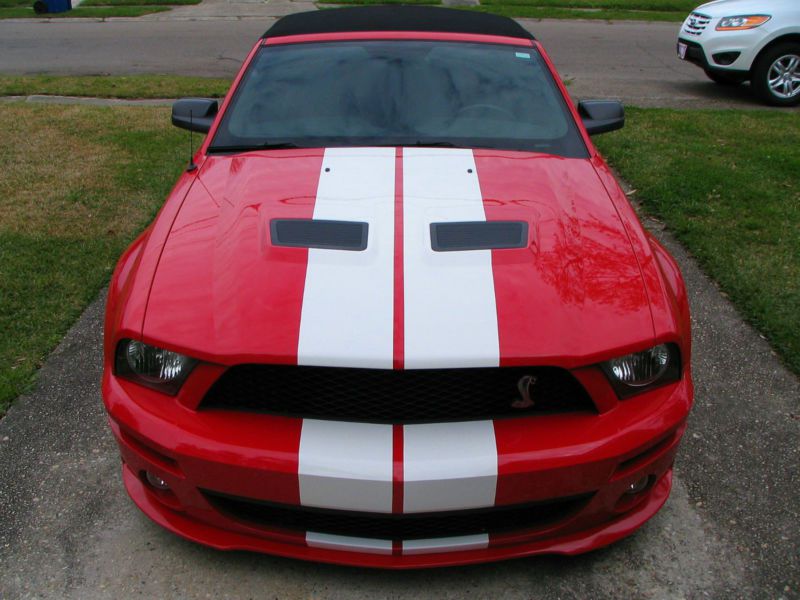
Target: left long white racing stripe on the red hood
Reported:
point(348, 302)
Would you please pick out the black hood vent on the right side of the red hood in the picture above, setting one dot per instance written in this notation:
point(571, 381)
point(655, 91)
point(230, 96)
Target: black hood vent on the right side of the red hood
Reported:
point(478, 235)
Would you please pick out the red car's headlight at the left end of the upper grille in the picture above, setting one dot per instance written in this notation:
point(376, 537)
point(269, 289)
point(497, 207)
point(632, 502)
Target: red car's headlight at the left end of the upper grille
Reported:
point(160, 369)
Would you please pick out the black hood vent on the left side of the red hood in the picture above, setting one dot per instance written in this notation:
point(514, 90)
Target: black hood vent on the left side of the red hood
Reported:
point(318, 233)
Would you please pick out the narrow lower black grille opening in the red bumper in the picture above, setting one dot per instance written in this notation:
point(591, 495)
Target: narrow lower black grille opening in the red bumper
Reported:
point(397, 526)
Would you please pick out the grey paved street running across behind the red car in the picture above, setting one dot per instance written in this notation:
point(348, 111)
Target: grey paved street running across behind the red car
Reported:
point(629, 60)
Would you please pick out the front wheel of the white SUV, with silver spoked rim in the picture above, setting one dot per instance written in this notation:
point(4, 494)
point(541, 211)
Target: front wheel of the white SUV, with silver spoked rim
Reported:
point(769, 72)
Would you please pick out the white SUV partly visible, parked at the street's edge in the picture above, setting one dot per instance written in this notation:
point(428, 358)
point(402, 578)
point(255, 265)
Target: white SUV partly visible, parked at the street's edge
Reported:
point(739, 40)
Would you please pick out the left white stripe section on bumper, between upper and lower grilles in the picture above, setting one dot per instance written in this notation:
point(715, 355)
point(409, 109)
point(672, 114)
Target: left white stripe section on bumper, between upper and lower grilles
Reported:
point(346, 466)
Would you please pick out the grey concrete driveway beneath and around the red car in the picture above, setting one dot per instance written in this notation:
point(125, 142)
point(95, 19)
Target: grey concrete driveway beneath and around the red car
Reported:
point(730, 530)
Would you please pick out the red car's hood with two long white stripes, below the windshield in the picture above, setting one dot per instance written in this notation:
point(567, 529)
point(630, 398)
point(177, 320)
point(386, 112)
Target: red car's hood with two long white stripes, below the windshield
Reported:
point(223, 291)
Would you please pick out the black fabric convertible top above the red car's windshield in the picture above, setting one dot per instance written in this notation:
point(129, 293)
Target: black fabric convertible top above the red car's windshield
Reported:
point(396, 18)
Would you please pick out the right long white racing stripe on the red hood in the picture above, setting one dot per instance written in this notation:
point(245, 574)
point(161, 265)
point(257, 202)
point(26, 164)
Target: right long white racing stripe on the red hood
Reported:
point(450, 310)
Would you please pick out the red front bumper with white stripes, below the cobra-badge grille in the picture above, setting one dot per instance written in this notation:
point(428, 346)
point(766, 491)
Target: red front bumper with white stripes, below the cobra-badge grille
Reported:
point(592, 457)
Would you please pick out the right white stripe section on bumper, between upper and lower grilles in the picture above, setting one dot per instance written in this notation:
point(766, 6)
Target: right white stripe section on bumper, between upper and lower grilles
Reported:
point(449, 466)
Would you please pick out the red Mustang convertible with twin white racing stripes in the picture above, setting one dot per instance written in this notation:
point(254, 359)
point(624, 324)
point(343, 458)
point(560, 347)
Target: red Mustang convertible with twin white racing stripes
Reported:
point(397, 312)
